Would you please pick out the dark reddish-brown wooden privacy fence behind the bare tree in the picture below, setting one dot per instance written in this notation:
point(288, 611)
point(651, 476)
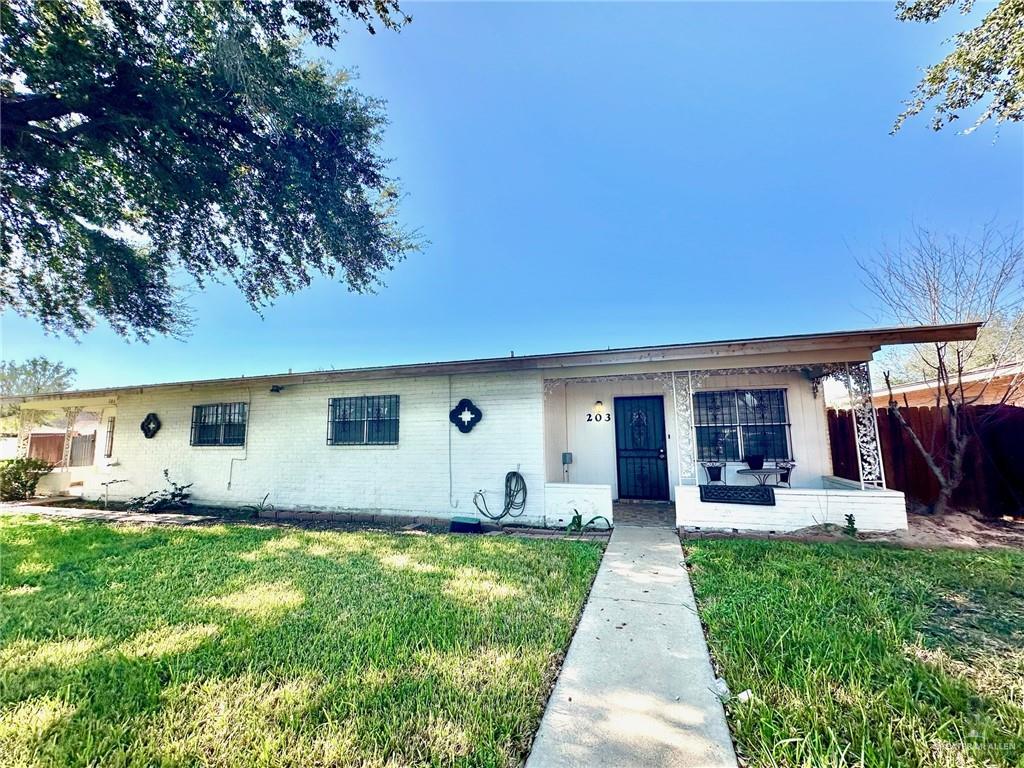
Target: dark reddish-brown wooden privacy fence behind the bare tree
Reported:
point(994, 467)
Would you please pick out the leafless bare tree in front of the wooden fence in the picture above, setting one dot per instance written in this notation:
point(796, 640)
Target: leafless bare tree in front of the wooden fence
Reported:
point(933, 279)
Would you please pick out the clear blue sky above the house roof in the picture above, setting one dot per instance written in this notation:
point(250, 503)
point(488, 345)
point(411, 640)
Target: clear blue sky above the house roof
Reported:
point(611, 175)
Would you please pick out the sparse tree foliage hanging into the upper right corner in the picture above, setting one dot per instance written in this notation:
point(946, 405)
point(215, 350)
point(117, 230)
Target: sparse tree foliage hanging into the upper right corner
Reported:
point(987, 63)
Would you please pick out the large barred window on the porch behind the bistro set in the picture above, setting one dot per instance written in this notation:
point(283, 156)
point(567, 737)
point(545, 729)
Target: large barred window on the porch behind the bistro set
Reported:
point(736, 423)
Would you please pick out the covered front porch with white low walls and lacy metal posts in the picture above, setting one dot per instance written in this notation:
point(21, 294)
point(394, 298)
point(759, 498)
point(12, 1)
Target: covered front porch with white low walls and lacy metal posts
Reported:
point(619, 443)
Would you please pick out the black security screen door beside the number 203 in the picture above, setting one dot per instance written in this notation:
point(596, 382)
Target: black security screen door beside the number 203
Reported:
point(644, 472)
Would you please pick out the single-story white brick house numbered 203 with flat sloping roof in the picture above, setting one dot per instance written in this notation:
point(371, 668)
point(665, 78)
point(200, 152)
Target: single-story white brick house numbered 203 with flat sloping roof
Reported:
point(582, 429)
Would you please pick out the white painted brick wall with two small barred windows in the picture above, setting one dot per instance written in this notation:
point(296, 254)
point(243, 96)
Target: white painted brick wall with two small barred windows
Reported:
point(287, 455)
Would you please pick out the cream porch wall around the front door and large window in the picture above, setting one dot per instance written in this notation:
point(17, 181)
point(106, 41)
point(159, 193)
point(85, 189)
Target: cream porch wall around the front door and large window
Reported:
point(593, 444)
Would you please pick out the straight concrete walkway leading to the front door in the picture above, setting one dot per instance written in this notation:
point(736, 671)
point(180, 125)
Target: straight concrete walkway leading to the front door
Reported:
point(636, 687)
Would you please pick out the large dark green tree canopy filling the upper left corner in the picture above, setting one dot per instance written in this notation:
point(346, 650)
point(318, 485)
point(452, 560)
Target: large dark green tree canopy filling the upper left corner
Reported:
point(147, 143)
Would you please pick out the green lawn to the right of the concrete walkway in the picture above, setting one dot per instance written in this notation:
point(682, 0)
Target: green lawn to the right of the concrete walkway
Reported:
point(862, 655)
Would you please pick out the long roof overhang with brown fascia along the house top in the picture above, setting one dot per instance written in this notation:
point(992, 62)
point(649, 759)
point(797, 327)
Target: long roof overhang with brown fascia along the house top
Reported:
point(805, 349)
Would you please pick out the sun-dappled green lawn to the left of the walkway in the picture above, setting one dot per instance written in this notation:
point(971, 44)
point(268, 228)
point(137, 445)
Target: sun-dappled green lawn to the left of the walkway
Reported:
point(244, 647)
